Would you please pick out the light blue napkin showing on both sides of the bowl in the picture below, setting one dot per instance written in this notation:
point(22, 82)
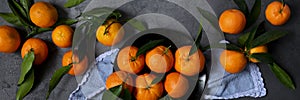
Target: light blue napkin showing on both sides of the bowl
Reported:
point(221, 85)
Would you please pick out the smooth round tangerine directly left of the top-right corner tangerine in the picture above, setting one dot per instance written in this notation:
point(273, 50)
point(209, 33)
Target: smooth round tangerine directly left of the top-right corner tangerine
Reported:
point(232, 21)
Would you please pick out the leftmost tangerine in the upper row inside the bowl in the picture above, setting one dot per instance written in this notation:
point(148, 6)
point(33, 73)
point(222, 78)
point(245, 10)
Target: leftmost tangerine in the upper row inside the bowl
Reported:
point(127, 60)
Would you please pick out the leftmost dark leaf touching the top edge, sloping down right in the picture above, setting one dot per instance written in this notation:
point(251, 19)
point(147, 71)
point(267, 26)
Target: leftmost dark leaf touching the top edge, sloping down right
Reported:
point(17, 11)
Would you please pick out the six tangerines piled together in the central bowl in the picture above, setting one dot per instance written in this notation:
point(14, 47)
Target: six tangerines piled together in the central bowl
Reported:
point(159, 60)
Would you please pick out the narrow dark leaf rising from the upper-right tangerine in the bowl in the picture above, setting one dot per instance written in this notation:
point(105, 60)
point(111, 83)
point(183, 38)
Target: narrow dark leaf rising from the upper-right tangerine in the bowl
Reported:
point(196, 44)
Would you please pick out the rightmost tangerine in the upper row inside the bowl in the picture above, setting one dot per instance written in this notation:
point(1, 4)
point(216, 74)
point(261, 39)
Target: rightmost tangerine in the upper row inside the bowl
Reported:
point(189, 65)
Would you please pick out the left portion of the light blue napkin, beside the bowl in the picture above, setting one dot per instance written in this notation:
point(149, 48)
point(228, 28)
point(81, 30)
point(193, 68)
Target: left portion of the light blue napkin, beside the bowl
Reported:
point(93, 82)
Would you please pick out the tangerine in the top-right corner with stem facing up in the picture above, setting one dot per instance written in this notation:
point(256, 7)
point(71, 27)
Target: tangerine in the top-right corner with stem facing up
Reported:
point(277, 13)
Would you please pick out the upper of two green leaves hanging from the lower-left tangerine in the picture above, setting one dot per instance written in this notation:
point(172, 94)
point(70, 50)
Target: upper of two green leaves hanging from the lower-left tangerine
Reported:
point(26, 66)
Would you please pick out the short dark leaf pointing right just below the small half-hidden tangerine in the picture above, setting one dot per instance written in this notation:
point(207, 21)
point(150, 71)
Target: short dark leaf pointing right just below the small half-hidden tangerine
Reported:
point(263, 57)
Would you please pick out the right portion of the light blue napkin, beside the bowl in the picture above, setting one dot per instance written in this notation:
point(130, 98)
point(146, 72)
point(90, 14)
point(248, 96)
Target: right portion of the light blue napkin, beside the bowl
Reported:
point(223, 85)
